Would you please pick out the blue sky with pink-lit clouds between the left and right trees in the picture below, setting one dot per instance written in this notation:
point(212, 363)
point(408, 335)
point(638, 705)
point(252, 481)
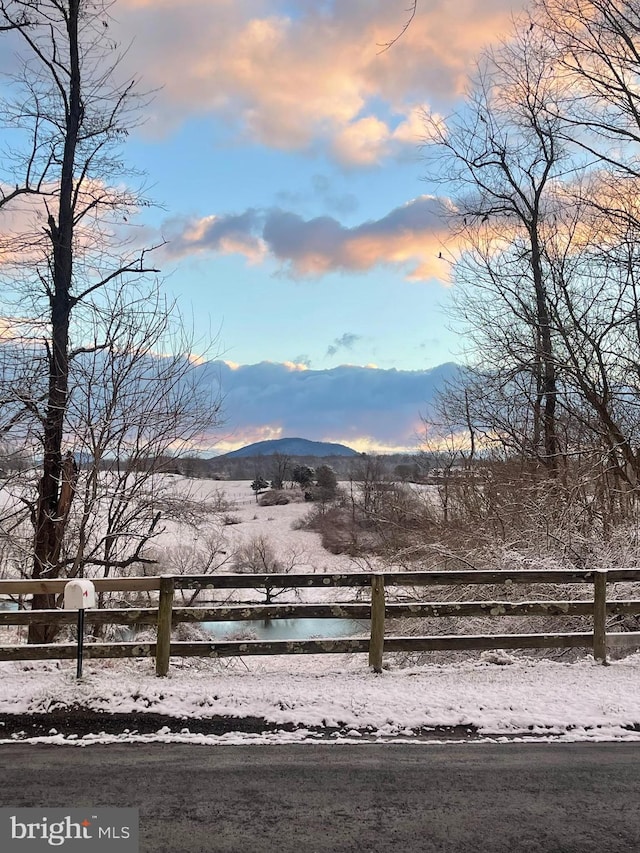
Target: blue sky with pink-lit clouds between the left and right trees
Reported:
point(285, 146)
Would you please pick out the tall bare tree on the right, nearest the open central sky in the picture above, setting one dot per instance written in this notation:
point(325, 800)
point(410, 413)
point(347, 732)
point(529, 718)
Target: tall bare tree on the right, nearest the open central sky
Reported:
point(501, 156)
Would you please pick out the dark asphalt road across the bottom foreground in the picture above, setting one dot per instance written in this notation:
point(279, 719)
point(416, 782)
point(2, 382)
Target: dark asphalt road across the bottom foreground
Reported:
point(480, 798)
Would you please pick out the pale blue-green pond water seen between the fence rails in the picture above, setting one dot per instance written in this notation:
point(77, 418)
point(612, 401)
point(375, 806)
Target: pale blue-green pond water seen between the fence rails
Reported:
point(289, 629)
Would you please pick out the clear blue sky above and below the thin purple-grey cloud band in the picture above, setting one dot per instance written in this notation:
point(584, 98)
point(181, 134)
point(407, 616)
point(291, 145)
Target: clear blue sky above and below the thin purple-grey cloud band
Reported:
point(266, 307)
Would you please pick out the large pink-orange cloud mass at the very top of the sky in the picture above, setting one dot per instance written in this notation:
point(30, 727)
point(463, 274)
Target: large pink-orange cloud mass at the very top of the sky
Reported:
point(288, 81)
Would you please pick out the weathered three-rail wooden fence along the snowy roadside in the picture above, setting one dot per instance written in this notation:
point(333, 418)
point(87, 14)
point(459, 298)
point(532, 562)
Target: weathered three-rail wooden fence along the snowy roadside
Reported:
point(166, 614)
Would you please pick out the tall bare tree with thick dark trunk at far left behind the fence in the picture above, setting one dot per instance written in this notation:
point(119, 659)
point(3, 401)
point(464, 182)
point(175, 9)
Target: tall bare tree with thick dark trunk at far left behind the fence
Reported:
point(63, 241)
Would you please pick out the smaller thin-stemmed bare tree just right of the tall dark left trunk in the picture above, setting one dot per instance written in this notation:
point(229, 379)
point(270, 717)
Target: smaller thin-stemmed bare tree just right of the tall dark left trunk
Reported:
point(132, 410)
